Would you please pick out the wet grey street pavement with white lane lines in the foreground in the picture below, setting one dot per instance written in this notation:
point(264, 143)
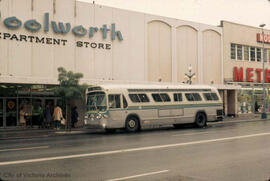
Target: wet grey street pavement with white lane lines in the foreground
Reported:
point(224, 151)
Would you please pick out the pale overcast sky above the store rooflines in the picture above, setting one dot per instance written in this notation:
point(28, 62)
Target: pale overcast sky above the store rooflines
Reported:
point(211, 12)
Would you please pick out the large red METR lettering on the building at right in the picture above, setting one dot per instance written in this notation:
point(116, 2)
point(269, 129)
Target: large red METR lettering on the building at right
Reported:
point(250, 75)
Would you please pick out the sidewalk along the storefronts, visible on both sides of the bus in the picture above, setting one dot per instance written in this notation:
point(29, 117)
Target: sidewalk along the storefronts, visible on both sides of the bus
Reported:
point(28, 133)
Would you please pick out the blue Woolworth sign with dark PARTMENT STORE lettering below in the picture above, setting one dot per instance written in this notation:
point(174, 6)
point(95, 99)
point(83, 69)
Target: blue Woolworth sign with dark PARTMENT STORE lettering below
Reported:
point(60, 28)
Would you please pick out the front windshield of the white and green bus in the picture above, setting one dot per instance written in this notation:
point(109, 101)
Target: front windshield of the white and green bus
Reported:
point(96, 101)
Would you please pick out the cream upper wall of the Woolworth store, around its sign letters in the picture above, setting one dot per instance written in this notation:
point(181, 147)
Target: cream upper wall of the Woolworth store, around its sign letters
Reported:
point(153, 47)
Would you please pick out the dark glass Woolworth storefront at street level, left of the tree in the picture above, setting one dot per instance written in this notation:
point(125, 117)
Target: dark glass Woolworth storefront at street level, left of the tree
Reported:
point(33, 97)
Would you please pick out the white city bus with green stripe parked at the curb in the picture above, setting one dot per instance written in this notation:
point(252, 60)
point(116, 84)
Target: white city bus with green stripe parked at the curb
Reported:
point(132, 106)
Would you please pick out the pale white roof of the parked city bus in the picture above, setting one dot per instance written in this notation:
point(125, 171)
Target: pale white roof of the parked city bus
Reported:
point(134, 86)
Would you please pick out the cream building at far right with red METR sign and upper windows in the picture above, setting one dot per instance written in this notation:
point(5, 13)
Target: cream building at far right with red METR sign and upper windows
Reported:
point(244, 54)
